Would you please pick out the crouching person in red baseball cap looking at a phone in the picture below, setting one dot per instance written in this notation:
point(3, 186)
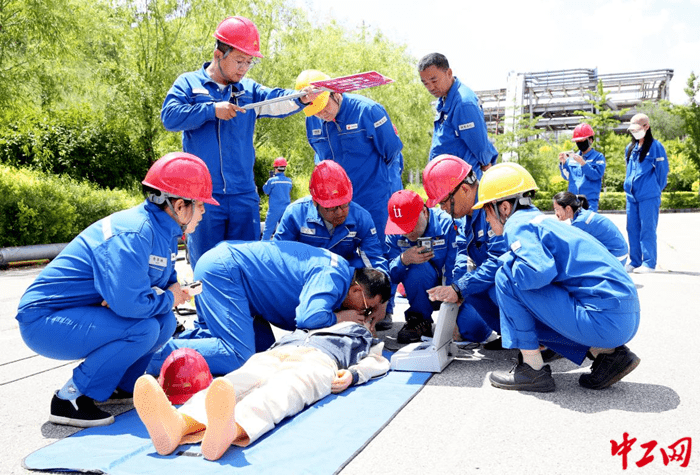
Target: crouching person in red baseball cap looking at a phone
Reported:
point(421, 252)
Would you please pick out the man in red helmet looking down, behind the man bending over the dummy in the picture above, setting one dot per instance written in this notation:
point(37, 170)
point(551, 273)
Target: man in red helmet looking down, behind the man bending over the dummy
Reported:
point(330, 220)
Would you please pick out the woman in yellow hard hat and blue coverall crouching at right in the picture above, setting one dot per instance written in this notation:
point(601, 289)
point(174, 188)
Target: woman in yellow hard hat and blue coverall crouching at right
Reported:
point(556, 284)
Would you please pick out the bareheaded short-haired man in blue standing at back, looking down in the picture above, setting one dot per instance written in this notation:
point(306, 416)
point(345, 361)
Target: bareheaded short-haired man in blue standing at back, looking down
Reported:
point(459, 129)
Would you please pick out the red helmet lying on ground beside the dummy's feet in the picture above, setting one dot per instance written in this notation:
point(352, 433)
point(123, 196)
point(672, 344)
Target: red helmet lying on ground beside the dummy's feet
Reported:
point(184, 373)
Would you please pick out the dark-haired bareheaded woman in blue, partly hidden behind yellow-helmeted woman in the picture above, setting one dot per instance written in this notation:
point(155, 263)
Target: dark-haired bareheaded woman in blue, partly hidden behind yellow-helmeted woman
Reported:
point(568, 206)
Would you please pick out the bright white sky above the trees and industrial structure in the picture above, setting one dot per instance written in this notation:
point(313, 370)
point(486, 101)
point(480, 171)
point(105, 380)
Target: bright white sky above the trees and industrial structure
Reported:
point(485, 40)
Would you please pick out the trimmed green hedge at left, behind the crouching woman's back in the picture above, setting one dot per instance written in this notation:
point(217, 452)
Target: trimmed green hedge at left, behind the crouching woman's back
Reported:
point(37, 208)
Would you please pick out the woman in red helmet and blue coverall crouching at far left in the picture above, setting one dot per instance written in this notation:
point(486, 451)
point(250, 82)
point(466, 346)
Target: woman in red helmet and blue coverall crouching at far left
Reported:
point(107, 298)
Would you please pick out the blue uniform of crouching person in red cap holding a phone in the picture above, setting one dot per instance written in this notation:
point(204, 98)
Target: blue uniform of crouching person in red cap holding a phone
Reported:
point(418, 278)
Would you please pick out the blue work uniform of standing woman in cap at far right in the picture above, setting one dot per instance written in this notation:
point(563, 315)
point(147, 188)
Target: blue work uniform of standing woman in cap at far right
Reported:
point(644, 183)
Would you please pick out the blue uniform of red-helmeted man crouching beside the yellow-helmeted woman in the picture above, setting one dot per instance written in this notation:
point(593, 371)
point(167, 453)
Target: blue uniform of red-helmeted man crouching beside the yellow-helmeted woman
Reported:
point(479, 314)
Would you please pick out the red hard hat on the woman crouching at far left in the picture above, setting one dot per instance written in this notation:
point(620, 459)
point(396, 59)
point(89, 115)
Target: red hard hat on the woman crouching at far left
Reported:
point(183, 175)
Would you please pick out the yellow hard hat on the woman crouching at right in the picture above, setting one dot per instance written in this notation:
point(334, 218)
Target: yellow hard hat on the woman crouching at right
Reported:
point(503, 181)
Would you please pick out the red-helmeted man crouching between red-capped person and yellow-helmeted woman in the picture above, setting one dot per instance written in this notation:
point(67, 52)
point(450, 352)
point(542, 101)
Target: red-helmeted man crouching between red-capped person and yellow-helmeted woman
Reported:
point(450, 182)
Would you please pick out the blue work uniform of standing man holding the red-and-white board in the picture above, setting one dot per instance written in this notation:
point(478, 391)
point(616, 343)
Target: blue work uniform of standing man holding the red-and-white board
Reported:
point(226, 146)
